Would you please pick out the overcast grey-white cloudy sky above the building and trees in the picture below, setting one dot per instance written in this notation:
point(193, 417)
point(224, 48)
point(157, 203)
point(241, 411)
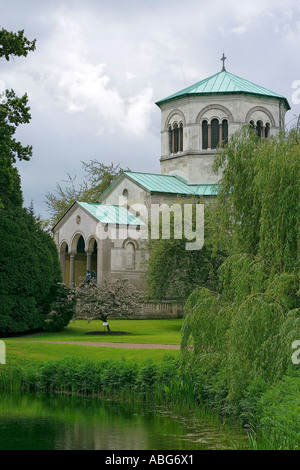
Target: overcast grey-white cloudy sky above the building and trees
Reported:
point(100, 65)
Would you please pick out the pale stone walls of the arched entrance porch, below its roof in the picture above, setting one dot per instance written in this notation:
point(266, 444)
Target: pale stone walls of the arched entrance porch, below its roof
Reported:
point(110, 258)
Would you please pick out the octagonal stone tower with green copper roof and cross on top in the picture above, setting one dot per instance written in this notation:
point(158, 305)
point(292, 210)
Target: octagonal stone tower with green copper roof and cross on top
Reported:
point(196, 119)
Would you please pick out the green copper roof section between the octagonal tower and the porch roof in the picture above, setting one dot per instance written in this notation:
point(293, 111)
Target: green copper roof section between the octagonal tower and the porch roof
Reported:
point(171, 184)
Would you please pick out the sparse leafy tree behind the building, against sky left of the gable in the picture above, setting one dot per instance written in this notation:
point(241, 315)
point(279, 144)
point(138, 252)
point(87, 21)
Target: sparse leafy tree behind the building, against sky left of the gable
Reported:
point(98, 178)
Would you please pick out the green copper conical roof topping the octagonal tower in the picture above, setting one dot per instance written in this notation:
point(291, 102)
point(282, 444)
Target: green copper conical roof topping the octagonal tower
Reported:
point(223, 82)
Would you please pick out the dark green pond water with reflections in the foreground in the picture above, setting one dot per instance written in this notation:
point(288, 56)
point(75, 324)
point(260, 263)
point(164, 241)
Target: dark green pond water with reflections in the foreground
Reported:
point(56, 422)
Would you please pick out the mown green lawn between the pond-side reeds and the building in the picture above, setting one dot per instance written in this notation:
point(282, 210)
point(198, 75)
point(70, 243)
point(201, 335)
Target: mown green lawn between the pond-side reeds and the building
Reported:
point(19, 351)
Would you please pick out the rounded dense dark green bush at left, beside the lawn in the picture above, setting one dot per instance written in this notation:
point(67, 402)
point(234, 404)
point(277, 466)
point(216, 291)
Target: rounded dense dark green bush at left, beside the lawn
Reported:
point(29, 272)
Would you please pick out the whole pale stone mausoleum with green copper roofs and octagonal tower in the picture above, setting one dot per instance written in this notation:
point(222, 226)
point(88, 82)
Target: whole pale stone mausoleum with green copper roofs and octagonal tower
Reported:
point(194, 121)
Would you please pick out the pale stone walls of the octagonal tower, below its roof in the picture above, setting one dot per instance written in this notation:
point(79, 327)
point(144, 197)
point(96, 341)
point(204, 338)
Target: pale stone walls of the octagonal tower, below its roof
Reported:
point(195, 163)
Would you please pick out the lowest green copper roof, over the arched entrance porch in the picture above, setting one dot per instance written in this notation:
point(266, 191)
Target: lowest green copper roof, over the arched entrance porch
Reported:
point(109, 214)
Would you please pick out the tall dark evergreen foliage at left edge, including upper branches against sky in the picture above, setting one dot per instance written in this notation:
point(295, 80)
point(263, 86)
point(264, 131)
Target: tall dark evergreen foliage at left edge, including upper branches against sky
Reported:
point(29, 264)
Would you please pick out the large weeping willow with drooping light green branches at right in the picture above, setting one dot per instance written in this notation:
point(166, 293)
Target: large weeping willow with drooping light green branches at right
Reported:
point(242, 334)
